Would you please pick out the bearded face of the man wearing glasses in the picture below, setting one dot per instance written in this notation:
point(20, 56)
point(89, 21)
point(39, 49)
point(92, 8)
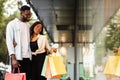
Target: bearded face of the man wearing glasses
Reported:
point(26, 15)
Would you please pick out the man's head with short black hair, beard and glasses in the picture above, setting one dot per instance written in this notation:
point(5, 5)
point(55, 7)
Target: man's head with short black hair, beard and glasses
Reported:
point(25, 13)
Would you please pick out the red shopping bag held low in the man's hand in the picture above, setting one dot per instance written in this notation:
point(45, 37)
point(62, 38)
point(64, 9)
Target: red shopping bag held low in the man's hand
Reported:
point(15, 76)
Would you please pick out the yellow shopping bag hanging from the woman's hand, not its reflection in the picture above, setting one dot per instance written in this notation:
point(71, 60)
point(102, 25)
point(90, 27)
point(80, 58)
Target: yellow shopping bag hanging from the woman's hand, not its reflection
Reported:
point(57, 66)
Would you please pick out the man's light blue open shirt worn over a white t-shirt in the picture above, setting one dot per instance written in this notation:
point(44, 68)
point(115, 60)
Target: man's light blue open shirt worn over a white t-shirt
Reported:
point(13, 33)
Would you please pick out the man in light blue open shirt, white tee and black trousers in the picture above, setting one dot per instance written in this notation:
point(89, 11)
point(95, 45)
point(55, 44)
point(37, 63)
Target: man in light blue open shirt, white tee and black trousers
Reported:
point(18, 41)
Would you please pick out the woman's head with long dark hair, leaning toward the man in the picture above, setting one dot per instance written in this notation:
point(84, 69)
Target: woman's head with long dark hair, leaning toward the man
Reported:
point(36, 28)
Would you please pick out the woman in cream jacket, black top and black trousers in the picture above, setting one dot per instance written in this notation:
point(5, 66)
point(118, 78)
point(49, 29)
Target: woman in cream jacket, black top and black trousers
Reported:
point(39, 47)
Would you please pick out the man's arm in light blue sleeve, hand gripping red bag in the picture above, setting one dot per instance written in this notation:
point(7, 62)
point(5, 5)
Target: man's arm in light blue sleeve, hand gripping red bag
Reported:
point(10, 44)
